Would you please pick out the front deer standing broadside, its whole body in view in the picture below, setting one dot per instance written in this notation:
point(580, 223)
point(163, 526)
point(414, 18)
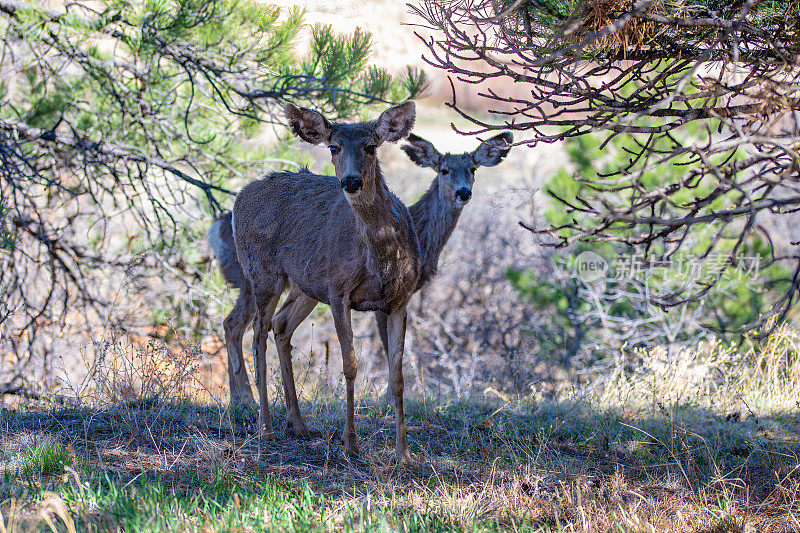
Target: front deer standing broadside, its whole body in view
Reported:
point(345, 240)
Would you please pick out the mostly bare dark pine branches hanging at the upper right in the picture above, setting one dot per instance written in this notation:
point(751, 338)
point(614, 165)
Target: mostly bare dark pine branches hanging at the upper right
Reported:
point(699, 99)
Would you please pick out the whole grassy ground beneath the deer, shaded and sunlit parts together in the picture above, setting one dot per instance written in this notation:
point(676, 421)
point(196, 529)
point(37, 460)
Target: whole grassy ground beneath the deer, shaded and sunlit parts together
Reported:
point(705, 441)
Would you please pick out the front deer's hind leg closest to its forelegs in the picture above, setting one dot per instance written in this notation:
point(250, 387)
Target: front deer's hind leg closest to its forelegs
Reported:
point(291, 315)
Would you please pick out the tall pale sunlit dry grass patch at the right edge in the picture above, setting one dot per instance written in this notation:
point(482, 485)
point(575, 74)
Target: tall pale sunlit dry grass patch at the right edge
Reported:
point(754, 379)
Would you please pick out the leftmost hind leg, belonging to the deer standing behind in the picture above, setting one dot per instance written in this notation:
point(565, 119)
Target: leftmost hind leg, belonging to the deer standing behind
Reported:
point(235, 324)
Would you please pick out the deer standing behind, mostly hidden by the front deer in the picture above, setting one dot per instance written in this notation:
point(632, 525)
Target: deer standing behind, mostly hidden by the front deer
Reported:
point(435, 216)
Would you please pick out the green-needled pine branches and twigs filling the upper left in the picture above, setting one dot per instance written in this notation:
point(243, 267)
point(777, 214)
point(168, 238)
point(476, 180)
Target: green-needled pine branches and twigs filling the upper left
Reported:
point(121, 124)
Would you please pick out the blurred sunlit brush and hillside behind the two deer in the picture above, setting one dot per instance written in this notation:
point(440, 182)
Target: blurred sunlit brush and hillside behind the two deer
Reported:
point(505, 315)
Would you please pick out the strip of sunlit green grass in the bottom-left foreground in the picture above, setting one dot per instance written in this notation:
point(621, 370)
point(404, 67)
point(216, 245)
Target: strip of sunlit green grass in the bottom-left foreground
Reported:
point(224, 504)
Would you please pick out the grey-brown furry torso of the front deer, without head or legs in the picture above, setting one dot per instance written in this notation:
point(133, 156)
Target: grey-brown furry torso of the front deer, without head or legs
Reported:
point(328, 248)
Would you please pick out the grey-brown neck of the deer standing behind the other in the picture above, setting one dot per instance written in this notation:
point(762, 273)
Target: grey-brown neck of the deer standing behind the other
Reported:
point(435, 217)
